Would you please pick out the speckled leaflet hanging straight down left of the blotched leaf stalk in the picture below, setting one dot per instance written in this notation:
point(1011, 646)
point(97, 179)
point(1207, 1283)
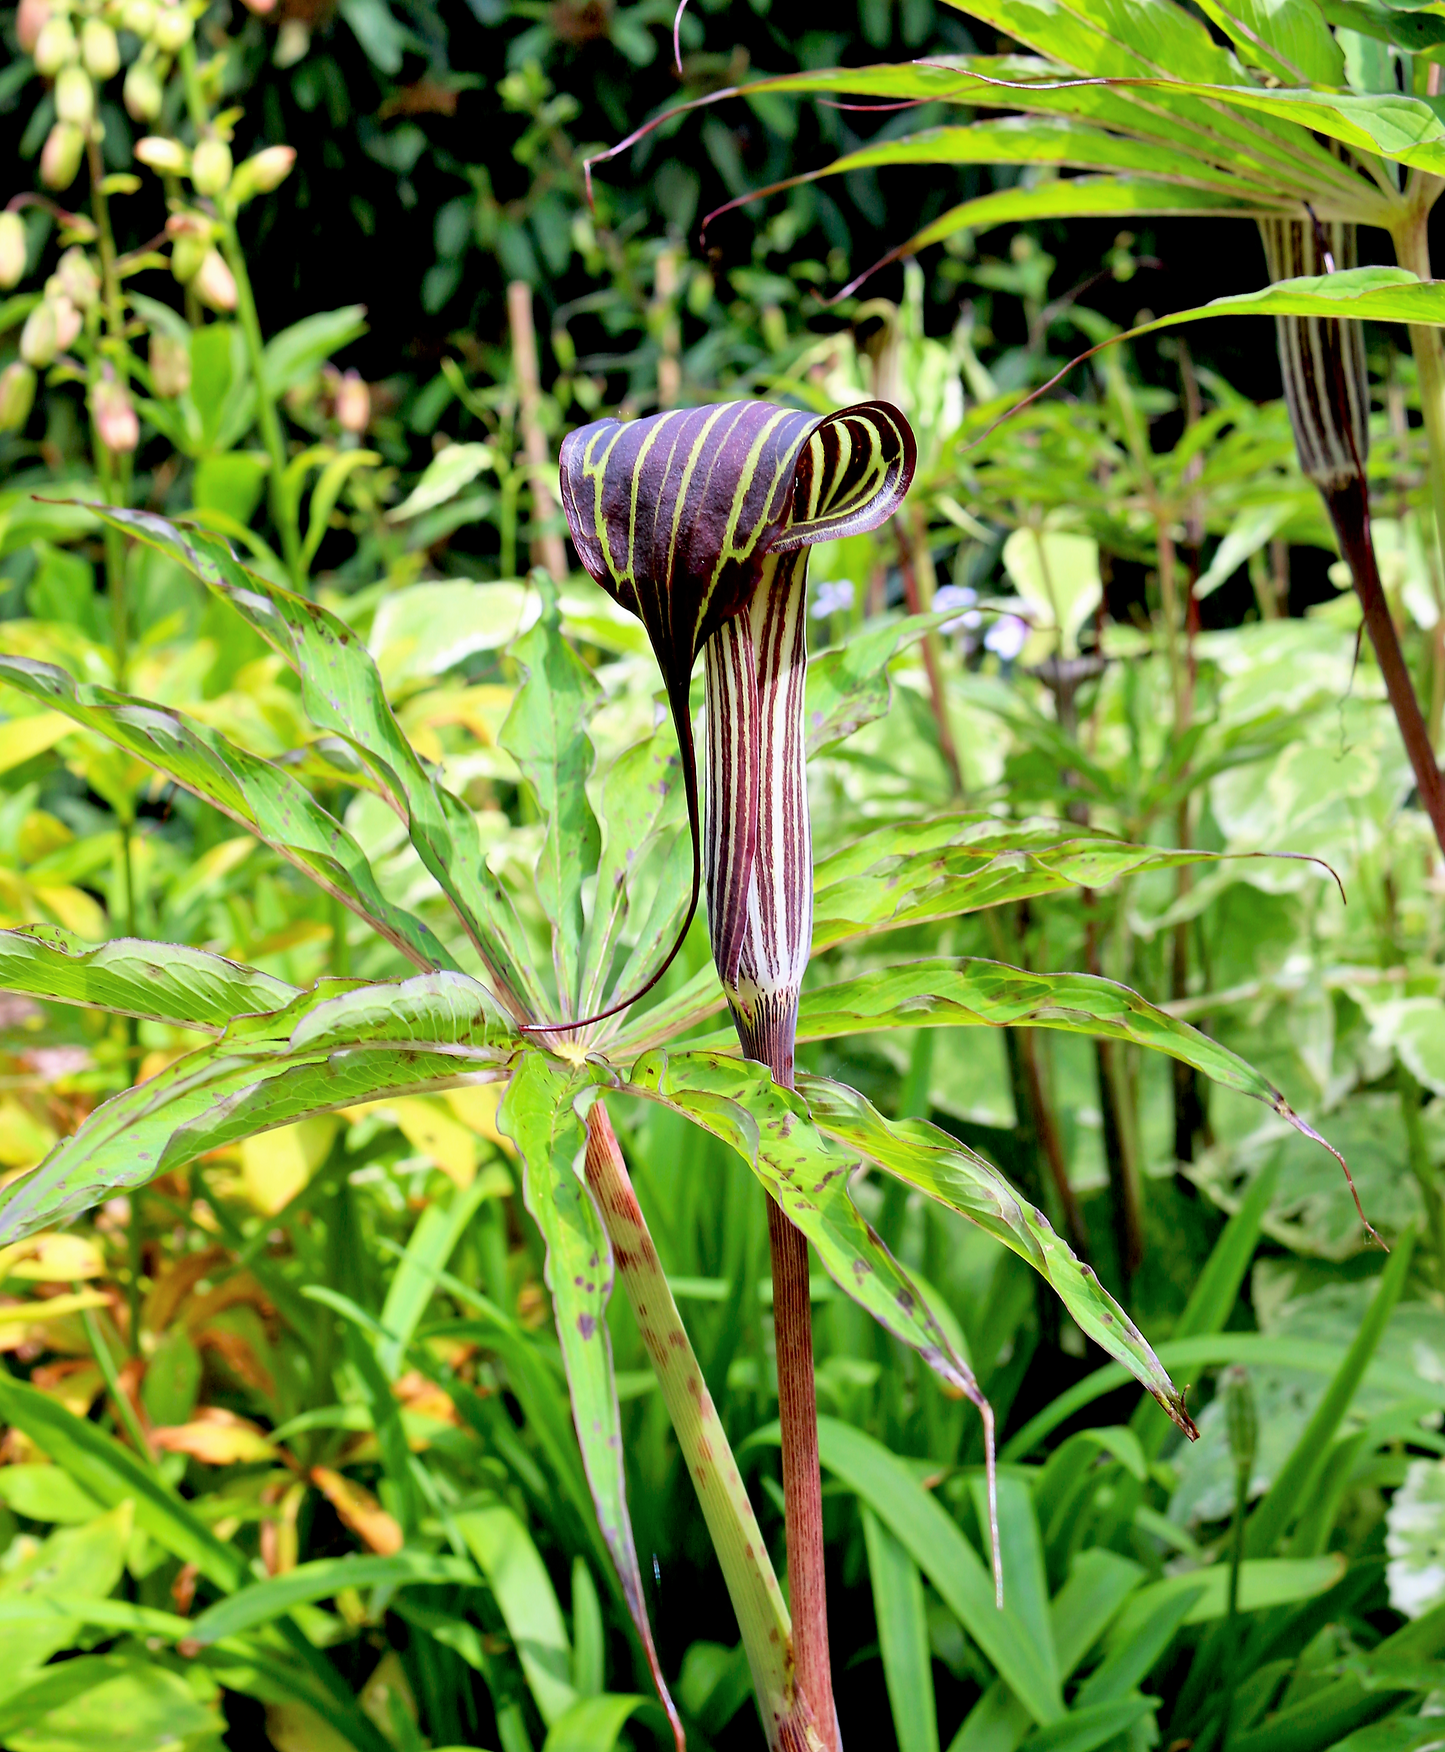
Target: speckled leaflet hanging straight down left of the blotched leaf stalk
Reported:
point(540, 1119)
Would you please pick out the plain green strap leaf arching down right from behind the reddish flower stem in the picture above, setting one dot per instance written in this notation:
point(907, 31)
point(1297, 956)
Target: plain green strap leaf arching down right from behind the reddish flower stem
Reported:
point(941, 1551)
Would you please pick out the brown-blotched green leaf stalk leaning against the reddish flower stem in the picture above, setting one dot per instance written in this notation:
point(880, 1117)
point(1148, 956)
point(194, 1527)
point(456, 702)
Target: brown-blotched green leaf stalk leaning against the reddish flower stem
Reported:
point(763, 1616)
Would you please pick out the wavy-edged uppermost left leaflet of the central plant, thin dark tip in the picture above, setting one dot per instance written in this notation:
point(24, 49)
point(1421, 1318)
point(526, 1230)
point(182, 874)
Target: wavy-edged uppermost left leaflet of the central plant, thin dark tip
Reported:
point(342, 693)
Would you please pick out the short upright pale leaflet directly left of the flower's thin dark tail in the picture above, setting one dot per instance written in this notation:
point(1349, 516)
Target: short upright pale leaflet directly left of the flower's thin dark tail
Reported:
point(644, 814)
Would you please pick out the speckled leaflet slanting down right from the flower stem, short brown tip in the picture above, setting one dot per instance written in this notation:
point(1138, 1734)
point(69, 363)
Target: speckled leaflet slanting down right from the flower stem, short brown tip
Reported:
point(948, 1171)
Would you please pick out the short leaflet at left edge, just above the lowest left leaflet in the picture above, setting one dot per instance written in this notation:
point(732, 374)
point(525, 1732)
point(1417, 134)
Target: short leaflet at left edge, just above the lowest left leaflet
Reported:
point(166, 982)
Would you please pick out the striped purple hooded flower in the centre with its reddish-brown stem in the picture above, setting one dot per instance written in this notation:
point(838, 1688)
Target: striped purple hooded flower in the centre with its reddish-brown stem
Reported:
point(700, 523)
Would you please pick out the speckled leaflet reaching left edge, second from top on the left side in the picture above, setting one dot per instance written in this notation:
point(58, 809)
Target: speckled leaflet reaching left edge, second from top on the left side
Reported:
point(251, 791)
